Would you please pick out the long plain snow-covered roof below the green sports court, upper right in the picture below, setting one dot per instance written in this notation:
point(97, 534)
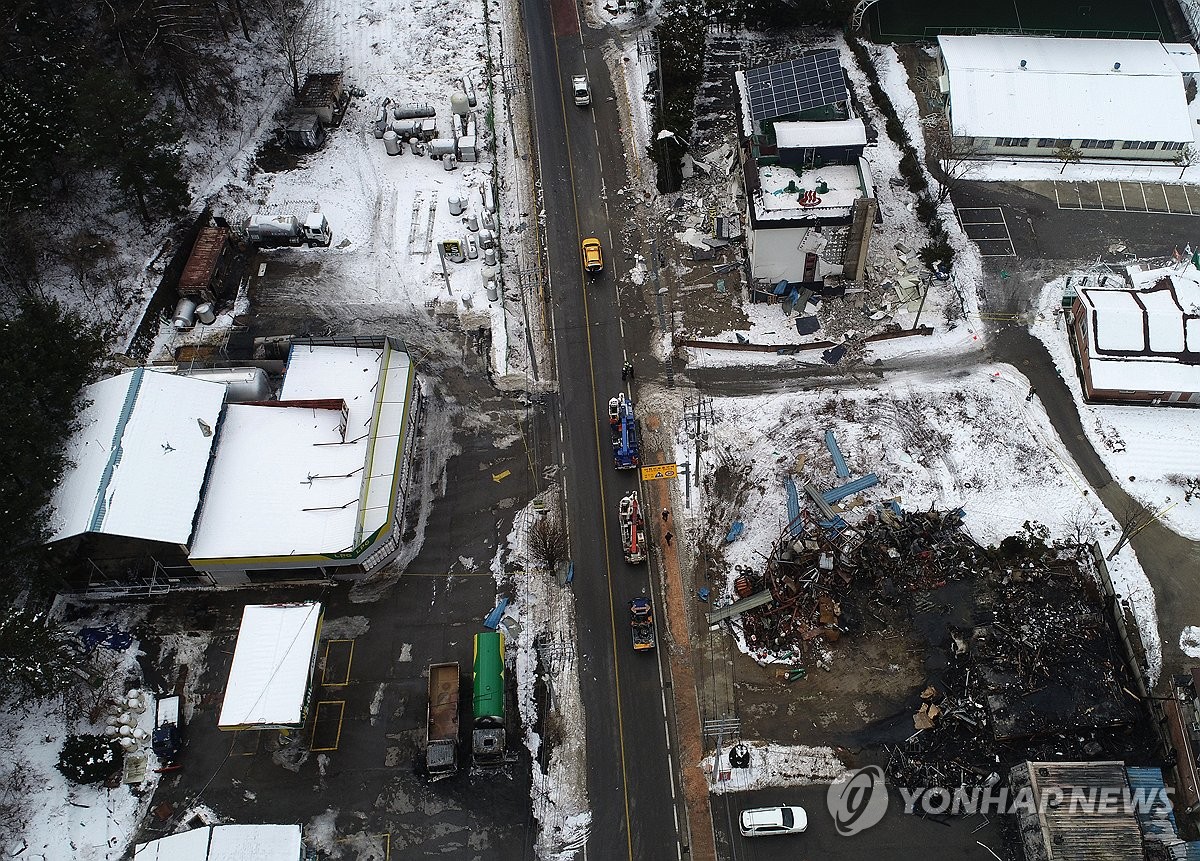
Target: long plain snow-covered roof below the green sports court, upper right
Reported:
point(1067, 89)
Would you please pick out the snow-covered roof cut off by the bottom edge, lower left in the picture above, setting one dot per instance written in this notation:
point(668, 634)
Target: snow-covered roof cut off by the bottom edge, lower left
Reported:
point(226, 844)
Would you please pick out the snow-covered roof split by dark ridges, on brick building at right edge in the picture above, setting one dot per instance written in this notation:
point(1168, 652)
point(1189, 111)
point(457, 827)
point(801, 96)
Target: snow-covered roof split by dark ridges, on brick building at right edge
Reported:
point(1147, 336)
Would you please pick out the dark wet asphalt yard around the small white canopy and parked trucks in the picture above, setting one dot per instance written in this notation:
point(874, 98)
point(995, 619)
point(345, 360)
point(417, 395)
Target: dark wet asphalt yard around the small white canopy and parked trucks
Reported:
point(349, 774)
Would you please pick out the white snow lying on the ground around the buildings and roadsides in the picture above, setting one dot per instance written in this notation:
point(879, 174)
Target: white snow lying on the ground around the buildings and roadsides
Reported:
point(971, 441)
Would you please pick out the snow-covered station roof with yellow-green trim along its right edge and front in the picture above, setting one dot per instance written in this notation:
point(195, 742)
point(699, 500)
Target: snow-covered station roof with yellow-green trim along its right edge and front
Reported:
point(289, 481)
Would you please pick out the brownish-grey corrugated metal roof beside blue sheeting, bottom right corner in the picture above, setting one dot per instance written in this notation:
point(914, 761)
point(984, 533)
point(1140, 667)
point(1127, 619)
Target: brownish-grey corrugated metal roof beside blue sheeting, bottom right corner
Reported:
point(1076, 833)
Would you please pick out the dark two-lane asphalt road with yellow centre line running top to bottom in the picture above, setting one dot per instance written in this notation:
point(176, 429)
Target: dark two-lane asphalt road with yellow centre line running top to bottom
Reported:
point(631, 775)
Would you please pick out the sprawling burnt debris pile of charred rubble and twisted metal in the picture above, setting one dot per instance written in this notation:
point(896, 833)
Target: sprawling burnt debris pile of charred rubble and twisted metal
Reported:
point(1028, 666)
